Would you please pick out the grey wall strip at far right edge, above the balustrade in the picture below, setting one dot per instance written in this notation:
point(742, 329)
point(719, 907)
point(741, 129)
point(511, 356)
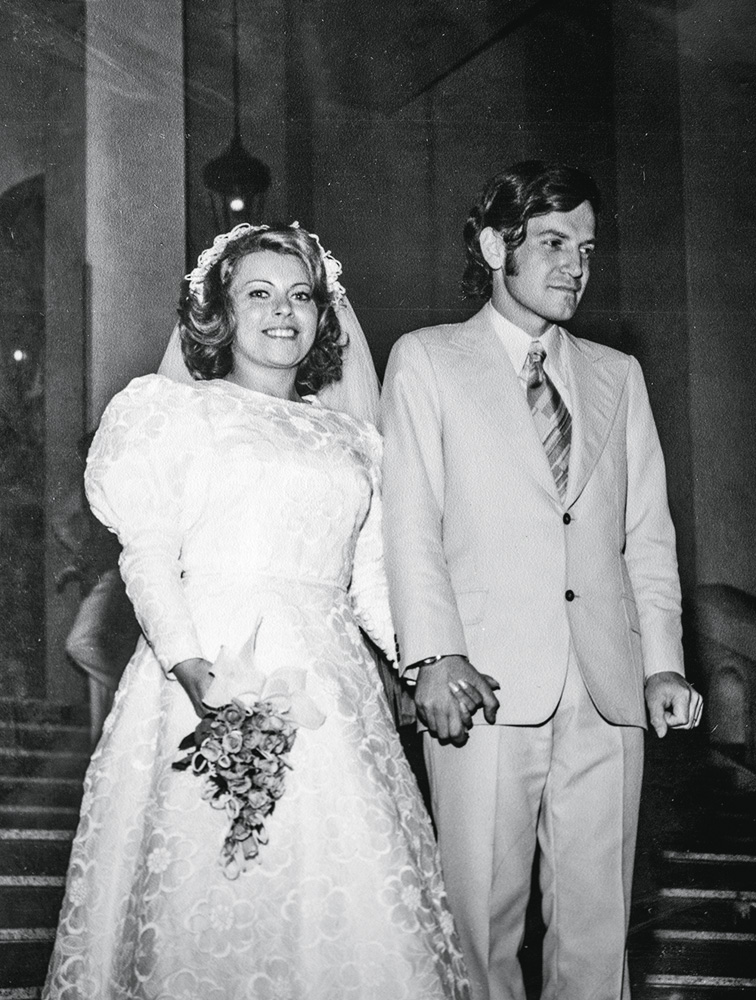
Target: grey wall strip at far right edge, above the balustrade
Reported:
point(718, 104)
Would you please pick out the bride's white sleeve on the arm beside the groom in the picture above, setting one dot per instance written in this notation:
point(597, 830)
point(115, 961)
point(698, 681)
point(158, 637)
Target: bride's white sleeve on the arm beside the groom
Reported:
point(369, 588)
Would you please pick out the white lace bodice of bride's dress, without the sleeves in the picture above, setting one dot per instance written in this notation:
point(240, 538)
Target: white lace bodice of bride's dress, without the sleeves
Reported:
point(293, 481)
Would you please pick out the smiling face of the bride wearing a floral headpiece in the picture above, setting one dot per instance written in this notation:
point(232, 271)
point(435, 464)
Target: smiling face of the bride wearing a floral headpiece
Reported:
point(276, 315)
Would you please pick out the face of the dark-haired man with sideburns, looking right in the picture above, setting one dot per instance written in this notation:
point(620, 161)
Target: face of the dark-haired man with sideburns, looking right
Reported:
point(549, 271)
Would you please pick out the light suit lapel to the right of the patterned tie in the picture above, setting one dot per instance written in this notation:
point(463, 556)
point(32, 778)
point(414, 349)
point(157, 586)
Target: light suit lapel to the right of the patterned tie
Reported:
point(595, 379)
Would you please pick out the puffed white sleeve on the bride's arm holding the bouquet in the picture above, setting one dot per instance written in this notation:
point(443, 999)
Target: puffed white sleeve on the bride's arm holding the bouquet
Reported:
point(141, 483)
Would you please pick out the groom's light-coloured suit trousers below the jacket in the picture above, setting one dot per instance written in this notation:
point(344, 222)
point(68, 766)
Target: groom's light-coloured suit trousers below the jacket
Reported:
point(571, 785)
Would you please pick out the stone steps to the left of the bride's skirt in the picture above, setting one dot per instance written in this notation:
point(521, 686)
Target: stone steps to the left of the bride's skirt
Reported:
point(44, 750)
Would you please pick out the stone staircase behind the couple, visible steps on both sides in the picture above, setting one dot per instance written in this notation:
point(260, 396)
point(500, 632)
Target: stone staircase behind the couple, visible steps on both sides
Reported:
point(693, 928)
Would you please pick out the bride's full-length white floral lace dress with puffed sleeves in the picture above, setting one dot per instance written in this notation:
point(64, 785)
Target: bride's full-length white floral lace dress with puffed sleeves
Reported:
point(230, 504)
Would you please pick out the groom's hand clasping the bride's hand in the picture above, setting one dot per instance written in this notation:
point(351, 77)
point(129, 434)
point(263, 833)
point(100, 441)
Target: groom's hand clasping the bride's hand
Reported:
point(448, 694)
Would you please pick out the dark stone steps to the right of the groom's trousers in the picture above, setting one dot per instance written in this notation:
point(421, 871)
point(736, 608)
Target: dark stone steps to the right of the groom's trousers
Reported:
point(694, 935)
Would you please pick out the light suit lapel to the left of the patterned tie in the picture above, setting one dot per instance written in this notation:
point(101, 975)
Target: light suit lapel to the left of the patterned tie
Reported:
point(493, 386)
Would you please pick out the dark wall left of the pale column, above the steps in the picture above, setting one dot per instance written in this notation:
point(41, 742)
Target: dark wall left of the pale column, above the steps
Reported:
point(42, 368)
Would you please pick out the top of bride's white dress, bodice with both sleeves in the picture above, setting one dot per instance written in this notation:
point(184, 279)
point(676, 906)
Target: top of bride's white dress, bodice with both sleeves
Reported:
point(214, 486)
